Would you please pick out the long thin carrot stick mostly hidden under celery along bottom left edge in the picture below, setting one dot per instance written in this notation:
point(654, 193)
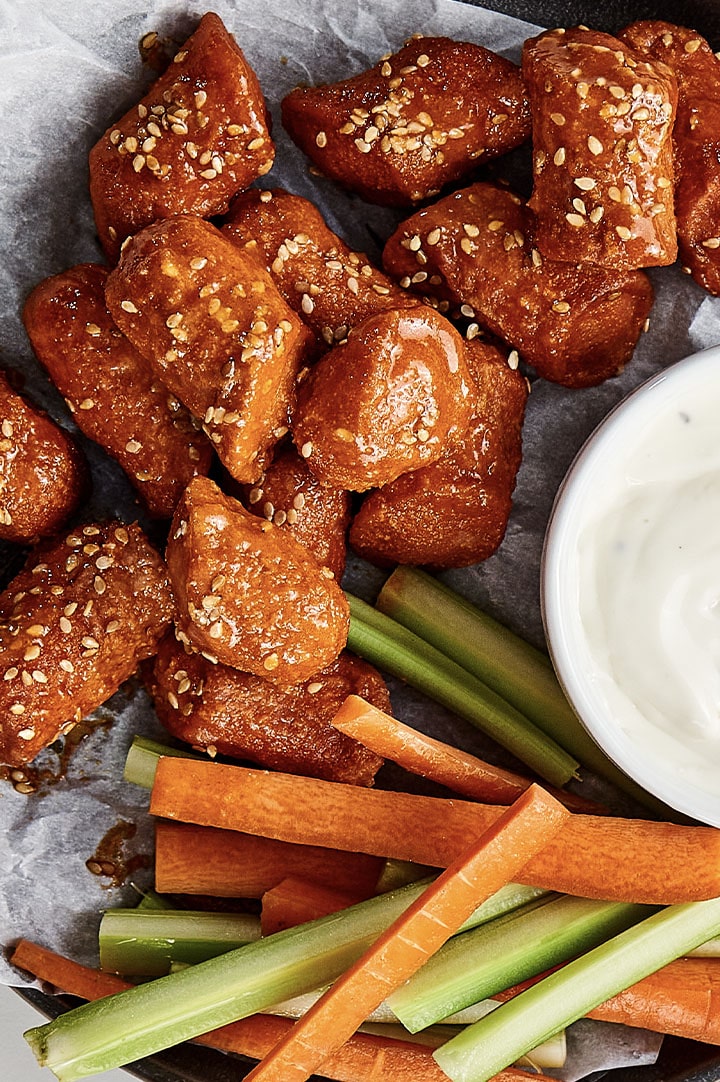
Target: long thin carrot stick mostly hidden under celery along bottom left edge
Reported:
point(364, 1059)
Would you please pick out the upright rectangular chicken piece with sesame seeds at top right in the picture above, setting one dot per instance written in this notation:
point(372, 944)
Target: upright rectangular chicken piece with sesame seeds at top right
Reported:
point(603, 151)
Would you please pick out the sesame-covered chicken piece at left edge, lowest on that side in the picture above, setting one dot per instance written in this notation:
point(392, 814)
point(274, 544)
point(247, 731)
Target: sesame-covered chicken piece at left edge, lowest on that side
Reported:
point(74, 625)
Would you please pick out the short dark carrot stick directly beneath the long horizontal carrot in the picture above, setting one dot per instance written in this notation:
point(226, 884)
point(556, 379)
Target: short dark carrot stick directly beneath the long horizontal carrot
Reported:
point(191, 860)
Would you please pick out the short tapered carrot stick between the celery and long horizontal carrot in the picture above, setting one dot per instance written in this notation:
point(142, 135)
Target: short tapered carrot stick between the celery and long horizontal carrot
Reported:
point(450, 767)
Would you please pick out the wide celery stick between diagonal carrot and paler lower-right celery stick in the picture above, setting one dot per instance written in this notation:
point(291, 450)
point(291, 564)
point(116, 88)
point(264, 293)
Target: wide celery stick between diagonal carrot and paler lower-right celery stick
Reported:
point(494, 957)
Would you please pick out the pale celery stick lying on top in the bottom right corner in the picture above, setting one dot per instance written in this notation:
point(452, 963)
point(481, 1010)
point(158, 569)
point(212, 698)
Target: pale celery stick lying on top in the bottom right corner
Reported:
point(487, 1048)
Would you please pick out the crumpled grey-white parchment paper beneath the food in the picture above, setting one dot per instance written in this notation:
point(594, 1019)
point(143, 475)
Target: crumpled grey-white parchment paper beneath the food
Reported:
point(69, 69)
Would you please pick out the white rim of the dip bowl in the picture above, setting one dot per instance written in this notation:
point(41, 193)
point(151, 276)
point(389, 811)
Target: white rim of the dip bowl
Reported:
point(564, 527)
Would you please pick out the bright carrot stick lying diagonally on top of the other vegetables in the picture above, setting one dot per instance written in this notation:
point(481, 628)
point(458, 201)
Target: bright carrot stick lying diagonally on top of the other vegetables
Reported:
point(503, 851)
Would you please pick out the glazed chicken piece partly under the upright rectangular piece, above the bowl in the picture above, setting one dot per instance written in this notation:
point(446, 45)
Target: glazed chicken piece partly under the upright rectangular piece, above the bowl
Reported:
point(577, 325)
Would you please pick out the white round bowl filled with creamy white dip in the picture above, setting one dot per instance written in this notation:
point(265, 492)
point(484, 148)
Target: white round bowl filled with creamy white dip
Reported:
point(633, 587)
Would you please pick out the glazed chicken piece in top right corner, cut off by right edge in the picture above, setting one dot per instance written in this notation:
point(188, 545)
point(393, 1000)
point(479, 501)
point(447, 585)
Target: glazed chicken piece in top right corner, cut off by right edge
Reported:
point(697, 140)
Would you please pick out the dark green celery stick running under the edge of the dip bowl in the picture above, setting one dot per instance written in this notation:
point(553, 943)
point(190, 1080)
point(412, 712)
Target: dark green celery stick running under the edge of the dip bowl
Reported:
point(513, 668)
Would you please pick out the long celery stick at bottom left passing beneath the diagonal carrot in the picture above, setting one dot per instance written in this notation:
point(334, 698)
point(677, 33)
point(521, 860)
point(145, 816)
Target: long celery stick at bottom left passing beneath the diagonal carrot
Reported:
point(119, 1030)
